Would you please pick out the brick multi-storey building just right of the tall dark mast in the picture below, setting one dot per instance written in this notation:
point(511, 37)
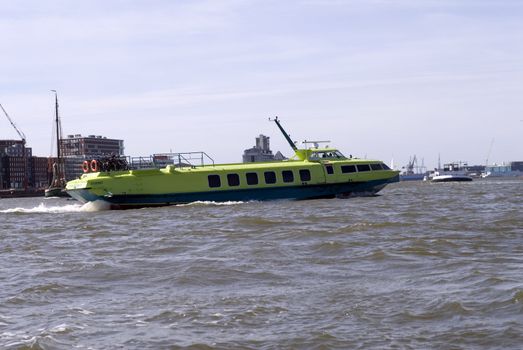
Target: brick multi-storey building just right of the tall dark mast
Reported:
point(75, 149)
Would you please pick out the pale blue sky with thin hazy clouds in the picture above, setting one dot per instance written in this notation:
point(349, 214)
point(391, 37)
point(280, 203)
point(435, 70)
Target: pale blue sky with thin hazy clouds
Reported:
point(378, 79)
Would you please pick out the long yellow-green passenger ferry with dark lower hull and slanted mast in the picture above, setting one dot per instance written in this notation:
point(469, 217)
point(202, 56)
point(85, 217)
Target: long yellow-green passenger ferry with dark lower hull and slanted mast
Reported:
point(313, 172)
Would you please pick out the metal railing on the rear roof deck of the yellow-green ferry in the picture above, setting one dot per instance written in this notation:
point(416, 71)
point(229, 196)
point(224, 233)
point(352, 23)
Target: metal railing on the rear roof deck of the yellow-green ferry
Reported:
point(179, 160)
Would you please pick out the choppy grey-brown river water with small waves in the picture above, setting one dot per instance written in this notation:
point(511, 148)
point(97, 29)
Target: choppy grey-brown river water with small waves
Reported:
point(436, 266)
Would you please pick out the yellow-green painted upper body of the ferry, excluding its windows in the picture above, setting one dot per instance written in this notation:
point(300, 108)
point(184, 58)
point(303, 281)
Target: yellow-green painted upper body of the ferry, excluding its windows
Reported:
point(173, 179)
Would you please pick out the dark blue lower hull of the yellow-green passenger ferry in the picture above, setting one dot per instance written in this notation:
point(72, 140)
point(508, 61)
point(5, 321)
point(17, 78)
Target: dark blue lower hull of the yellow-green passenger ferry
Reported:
point(342, 190)
